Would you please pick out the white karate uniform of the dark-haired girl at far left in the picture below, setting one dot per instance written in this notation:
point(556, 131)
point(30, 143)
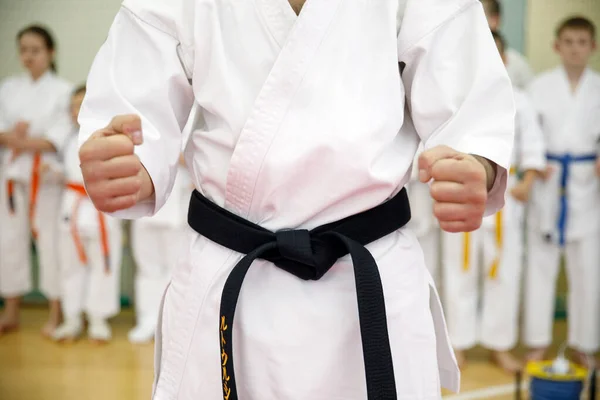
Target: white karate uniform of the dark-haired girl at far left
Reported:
point(44, 104)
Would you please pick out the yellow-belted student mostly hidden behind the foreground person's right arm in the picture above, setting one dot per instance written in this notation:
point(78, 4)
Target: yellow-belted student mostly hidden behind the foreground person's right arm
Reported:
point(499, 240)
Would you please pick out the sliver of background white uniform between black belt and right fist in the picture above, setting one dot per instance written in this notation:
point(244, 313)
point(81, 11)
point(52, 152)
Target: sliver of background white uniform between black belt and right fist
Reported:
point(424, 223)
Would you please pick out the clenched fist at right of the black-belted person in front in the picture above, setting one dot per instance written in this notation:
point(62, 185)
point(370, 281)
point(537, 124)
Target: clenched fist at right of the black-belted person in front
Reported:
point(459, 187)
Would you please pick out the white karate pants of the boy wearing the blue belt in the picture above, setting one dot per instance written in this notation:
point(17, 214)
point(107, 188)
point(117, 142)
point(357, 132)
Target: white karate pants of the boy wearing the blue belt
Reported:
point(582, 260)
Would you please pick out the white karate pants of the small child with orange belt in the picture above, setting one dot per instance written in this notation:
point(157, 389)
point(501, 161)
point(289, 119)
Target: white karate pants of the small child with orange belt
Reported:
point(89, 288)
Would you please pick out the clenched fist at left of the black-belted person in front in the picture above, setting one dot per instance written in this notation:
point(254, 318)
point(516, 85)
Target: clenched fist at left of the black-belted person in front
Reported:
point(115, 179)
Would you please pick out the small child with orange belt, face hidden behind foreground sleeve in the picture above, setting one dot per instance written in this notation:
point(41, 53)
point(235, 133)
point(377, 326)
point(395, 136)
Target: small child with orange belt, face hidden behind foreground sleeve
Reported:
point(90, 251)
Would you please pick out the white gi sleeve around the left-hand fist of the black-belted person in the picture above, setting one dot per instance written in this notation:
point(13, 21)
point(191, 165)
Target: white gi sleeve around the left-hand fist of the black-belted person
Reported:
point(139, 70)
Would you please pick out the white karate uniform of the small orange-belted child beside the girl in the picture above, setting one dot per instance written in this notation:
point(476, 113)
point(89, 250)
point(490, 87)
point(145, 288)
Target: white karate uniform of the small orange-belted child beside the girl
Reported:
point(87, 286)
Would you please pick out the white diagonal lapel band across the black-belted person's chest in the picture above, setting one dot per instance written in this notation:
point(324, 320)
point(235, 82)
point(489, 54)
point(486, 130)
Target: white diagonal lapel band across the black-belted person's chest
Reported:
point(274, 100)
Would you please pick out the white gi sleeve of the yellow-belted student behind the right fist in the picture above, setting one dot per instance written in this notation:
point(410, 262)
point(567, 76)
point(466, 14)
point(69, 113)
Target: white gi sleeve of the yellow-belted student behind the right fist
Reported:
point(531, 139)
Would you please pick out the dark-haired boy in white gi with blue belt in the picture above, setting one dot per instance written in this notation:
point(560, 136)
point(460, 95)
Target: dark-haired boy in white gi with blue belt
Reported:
point(565, 217)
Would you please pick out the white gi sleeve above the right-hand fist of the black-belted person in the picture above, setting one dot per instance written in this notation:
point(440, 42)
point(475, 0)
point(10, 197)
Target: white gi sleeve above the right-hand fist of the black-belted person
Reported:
point(457, 88)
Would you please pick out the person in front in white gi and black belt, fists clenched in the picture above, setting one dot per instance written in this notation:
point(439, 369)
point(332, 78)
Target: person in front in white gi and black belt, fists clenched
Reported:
point(302, 126)
